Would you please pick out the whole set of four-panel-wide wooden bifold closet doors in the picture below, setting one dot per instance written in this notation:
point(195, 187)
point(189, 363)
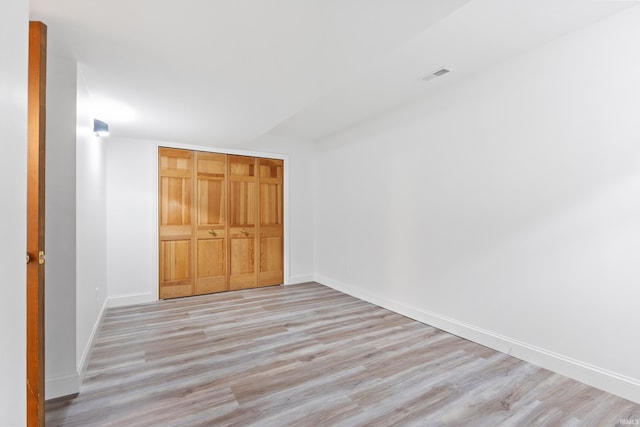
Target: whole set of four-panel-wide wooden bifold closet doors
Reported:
point(220, 222)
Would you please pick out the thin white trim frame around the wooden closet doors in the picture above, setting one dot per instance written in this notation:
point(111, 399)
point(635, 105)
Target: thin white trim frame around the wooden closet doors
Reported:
point(287, 217)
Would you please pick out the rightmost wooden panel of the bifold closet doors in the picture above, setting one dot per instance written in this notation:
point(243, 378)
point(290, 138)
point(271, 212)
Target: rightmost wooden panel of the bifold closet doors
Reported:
point(271, 248)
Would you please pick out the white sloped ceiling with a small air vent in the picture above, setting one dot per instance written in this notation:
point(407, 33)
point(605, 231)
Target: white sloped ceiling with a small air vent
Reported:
point(224, 72)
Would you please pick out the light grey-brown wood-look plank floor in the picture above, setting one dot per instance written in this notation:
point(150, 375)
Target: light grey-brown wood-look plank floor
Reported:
point(307, 355)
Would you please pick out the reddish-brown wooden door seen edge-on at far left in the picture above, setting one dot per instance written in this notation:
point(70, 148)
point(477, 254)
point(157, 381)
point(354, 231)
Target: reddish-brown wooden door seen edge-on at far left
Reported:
point(36, 135)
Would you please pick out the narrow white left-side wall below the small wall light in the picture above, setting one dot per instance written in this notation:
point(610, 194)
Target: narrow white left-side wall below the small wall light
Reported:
point(91, 237)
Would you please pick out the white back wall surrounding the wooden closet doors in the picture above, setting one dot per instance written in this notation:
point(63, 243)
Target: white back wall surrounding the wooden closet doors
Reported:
point(132, 213)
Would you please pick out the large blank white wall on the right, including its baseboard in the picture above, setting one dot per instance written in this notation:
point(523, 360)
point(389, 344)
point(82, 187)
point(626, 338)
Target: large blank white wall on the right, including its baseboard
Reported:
point(505, 209)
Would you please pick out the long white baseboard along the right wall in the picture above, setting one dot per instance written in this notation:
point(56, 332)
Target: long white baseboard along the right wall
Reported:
point(612, 382)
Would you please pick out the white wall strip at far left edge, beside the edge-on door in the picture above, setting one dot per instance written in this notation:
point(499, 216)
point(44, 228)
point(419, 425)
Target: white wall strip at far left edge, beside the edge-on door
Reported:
point(14, 36)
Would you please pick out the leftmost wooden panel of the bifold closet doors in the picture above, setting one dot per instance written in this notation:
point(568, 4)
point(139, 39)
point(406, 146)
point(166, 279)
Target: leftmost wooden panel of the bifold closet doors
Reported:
point(176, 222)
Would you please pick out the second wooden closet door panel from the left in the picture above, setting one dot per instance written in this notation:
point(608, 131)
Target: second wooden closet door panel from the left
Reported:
point(211, 214)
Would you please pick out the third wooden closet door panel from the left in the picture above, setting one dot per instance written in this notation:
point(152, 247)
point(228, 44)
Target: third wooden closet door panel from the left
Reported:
point(243, 210)
